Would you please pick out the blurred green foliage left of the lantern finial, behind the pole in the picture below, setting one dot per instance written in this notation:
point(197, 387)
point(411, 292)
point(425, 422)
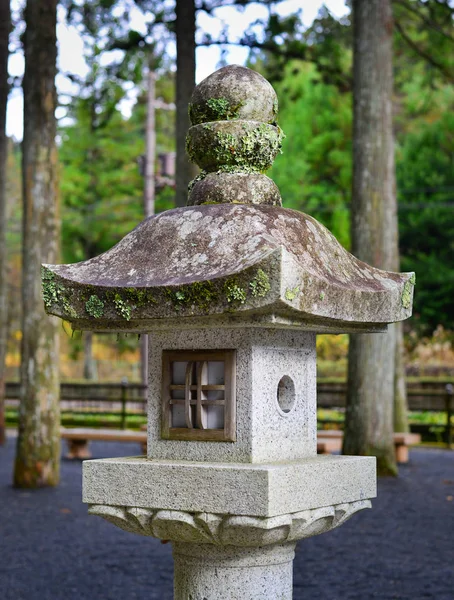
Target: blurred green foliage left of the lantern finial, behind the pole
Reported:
point(101, 185)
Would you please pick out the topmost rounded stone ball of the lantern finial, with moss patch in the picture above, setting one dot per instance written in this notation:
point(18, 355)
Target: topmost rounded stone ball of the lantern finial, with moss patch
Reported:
point(233, 92)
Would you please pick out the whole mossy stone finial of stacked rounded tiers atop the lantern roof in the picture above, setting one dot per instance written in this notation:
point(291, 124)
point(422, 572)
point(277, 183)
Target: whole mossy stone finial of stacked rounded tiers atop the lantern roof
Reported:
point(234, 138)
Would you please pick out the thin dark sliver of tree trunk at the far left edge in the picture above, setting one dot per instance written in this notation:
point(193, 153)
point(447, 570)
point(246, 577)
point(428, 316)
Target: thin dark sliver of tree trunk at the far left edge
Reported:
point(5, 26)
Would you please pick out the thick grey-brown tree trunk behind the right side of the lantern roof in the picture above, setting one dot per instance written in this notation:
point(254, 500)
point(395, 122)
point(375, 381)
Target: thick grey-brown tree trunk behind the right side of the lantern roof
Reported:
point(369, 414)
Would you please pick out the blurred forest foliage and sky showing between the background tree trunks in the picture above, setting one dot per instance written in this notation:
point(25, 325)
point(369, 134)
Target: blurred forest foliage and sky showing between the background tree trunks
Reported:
point(100, 152)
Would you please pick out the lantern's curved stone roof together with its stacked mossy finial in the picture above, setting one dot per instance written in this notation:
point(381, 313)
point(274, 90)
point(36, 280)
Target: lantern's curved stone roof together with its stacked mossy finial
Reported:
point(234, 256)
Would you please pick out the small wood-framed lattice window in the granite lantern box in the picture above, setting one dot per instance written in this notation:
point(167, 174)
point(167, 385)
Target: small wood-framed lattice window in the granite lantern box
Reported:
point(198, 395)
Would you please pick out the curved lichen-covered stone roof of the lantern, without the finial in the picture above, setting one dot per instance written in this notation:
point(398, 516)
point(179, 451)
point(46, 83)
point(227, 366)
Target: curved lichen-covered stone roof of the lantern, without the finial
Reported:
point(227, 261)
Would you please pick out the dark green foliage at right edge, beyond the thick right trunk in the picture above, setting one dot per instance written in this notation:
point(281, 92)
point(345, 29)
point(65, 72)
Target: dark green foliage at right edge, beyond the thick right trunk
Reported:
point(425, 173)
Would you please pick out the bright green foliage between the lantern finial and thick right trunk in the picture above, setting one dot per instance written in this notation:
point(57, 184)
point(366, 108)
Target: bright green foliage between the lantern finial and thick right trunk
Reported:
point(314, 173)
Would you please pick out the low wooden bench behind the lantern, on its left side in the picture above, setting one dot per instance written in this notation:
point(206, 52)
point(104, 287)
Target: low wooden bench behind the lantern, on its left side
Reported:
point(78, 439)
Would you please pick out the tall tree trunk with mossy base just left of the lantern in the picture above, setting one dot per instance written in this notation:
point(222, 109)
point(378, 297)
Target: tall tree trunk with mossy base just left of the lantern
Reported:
point(38, 445)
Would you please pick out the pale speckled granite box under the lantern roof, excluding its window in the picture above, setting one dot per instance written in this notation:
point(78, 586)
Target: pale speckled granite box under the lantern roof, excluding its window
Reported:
point(264, 432)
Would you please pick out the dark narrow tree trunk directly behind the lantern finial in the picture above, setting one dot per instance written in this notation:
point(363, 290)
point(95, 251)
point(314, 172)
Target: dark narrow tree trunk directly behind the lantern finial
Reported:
point(185, 32)
